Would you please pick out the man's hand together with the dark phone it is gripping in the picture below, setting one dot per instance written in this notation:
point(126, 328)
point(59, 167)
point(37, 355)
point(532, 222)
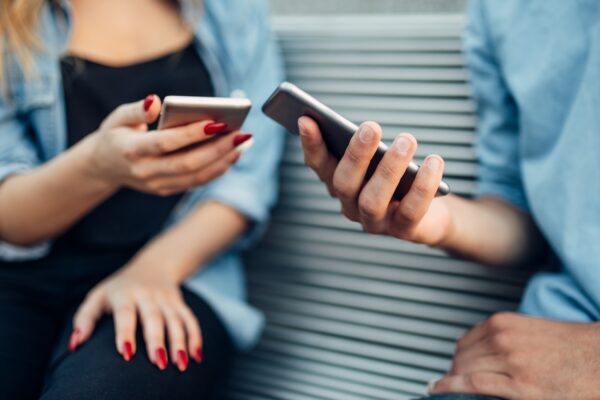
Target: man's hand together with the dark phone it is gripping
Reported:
point(367, 180)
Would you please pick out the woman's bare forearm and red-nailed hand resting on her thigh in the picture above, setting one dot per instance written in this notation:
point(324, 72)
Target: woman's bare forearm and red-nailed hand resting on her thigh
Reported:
point(149, 285)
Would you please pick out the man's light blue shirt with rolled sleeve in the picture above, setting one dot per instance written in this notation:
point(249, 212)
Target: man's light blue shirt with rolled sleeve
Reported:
point(535, 69)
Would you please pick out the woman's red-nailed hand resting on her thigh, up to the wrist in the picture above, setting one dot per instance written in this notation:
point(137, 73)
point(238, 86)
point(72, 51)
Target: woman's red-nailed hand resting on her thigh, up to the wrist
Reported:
point(144, 289)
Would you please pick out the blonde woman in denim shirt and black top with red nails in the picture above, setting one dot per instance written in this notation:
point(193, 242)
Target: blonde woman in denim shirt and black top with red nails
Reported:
point(100, 214)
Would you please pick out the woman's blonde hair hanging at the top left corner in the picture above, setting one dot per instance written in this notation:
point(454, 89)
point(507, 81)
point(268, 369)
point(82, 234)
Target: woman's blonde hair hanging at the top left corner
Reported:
point(18, 24)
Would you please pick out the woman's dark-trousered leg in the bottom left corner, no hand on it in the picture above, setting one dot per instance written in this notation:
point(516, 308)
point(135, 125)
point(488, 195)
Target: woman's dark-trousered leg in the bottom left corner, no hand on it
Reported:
point(27, 337)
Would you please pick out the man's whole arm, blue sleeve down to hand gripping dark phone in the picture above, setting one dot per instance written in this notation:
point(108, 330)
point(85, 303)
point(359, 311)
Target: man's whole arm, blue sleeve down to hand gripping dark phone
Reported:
point(495, 228)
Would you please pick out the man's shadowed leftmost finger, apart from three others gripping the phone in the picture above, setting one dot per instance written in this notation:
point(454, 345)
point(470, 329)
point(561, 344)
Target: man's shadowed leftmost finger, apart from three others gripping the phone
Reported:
point(316, 155)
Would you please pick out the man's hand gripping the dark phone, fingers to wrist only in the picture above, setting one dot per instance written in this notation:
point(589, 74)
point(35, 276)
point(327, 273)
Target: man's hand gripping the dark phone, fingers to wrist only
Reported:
point(418, 217)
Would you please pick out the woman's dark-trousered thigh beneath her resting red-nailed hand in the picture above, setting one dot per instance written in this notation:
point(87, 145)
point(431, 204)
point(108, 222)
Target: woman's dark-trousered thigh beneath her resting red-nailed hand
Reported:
point(97, 371)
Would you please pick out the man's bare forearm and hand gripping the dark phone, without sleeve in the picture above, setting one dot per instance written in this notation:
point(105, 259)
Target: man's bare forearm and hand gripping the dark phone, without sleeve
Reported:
point(452, 223)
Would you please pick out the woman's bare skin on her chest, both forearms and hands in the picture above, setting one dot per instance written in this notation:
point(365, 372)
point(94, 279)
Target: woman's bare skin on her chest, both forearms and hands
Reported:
point(122, 153)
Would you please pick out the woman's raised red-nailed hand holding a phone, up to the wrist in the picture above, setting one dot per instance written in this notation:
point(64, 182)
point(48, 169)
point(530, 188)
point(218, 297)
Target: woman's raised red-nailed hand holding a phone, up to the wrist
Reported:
point(165, 162)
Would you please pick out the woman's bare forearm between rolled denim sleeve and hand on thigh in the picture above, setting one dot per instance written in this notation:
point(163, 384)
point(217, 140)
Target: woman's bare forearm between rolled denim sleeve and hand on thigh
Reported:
point(203, 234)
